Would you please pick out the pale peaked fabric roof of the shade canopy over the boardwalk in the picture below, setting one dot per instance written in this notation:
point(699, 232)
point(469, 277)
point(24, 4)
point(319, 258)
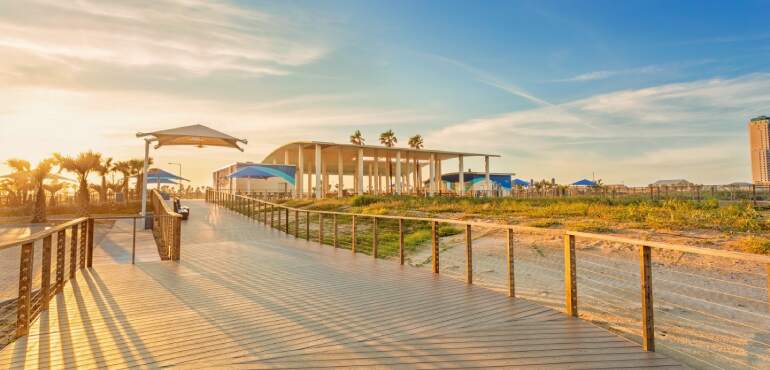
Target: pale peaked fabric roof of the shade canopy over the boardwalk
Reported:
point(197, 135)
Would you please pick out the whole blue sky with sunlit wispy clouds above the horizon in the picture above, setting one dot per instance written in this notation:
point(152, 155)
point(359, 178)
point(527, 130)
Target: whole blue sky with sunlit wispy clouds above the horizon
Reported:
point(624, 91)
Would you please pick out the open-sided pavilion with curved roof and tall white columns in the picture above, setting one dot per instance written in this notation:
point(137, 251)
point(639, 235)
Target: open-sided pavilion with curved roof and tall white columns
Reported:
point(362, 169)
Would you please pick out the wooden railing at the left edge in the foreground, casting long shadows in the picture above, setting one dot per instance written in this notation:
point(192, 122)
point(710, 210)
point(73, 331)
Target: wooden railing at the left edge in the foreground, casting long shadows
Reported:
point(29, 303)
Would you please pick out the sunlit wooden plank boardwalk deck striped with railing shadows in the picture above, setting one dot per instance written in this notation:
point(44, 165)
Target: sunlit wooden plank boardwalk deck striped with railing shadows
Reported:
point(247, 296)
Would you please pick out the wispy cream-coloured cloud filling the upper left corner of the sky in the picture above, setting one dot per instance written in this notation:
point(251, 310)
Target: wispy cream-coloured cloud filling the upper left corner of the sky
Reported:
point(179, 36)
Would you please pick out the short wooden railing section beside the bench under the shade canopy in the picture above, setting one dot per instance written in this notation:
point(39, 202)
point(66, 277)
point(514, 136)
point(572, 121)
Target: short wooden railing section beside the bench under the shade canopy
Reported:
point(166, 228)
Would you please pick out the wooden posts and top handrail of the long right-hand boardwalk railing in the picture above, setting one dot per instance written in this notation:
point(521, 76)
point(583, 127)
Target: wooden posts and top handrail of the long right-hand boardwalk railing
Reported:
point(265, 212)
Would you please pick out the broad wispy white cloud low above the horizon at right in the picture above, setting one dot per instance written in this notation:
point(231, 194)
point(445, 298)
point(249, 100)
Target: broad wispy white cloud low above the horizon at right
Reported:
point(694, 129)
